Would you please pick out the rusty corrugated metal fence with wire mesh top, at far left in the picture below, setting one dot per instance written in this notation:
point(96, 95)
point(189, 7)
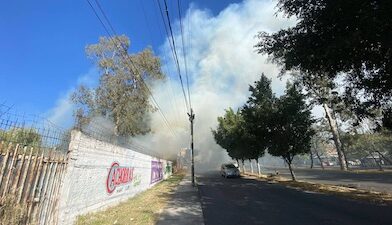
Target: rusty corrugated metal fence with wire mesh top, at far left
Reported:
point(32, 162)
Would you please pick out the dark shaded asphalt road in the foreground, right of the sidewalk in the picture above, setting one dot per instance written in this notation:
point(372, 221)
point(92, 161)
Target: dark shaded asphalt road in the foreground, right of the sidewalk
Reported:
point(241, 201)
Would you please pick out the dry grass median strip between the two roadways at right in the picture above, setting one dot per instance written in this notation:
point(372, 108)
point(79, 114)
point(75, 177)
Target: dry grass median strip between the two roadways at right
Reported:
point(354, 193)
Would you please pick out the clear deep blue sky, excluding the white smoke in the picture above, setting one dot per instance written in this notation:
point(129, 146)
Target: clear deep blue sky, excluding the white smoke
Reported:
point(42, 43)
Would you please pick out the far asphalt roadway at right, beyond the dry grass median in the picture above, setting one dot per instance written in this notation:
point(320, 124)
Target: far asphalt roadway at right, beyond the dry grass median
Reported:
point(366, 180)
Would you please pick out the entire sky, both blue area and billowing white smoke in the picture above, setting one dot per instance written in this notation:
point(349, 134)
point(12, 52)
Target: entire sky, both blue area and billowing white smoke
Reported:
point(42, 60)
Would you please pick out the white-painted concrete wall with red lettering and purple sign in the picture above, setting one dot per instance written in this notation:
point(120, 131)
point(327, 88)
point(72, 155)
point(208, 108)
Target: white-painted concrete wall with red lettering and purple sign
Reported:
point(100, 174)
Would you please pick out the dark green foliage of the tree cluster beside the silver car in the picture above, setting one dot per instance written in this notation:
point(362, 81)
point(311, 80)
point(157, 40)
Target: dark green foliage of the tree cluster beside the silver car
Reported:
point(283, 126)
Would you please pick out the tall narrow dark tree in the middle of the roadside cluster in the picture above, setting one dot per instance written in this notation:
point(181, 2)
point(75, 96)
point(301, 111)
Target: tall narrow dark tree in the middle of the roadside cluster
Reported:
point(257, 115)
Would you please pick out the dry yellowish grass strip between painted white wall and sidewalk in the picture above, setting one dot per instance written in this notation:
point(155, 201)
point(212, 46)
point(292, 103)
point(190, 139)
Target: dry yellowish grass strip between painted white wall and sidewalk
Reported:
point(142, 209)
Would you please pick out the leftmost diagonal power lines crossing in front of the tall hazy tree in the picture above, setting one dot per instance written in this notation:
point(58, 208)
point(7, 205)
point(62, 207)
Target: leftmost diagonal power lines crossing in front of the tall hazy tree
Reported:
point(127, 57)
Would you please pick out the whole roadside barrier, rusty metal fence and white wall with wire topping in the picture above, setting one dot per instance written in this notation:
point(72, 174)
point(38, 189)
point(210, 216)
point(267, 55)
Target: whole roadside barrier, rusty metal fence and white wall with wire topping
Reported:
point(47, 179)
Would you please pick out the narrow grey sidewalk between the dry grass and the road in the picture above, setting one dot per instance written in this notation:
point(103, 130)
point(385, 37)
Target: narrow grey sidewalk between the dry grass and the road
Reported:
point(184, 208)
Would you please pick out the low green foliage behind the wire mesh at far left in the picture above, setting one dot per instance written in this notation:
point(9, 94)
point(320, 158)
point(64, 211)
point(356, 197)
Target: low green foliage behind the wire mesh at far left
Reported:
point(22, 136)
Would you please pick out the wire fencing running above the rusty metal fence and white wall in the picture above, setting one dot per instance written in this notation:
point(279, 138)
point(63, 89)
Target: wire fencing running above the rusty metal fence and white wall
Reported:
point(46, 137)
